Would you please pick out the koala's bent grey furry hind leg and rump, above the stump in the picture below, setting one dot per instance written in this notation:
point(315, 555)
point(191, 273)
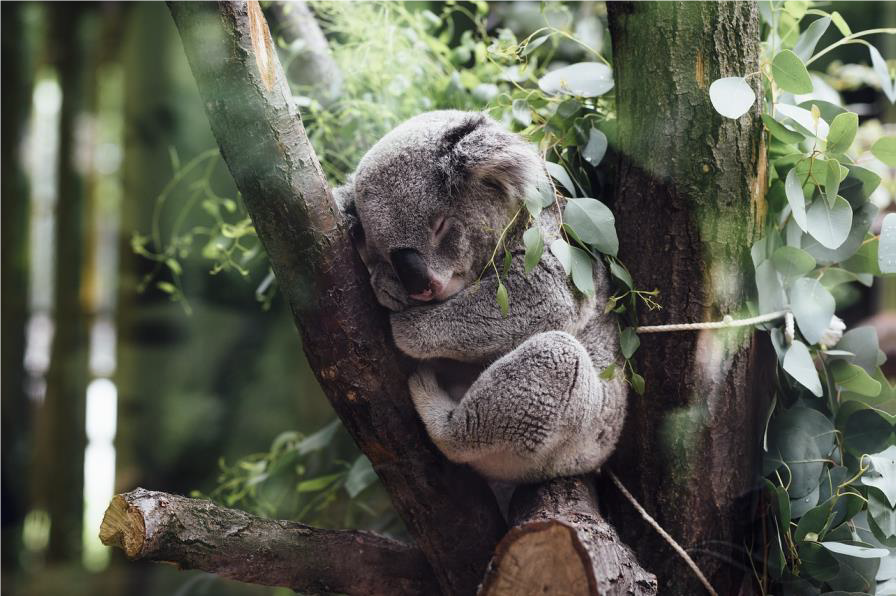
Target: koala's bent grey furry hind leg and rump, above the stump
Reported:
point(539, 411)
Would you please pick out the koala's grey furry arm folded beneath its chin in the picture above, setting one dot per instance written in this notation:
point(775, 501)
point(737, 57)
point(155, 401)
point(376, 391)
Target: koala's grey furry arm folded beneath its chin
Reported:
point(470, 326)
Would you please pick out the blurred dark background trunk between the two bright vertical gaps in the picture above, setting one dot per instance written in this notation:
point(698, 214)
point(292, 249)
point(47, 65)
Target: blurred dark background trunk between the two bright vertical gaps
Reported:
point(61, 452)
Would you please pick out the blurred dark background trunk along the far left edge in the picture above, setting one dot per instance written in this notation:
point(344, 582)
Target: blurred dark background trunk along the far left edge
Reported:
point(14, 419)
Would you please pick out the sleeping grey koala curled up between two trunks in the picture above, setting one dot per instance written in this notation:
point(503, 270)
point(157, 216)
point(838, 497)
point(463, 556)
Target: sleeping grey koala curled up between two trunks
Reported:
point(517, 397)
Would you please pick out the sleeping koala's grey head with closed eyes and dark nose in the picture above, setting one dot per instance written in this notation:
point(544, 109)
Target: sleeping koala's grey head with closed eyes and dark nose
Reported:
point(432, 197)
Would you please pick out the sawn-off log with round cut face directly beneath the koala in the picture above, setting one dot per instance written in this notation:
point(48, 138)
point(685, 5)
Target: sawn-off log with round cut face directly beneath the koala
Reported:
point(560, 544)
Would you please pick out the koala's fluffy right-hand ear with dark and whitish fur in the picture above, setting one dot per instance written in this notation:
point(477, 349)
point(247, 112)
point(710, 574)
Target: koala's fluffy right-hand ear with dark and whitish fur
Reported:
point(479, 151)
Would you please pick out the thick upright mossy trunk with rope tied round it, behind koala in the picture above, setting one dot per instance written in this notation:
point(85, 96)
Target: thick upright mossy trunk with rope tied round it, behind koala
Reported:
point(690, 185)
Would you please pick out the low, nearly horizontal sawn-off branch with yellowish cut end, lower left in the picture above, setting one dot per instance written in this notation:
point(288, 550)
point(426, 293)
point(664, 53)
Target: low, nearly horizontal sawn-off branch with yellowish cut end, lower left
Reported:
point(197, 534)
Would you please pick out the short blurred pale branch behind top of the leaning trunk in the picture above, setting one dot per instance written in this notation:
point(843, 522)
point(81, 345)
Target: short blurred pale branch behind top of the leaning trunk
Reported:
point(312, 67)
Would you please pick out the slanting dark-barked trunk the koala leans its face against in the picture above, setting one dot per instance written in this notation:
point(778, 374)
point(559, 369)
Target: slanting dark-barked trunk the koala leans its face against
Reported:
point(448, 509)
